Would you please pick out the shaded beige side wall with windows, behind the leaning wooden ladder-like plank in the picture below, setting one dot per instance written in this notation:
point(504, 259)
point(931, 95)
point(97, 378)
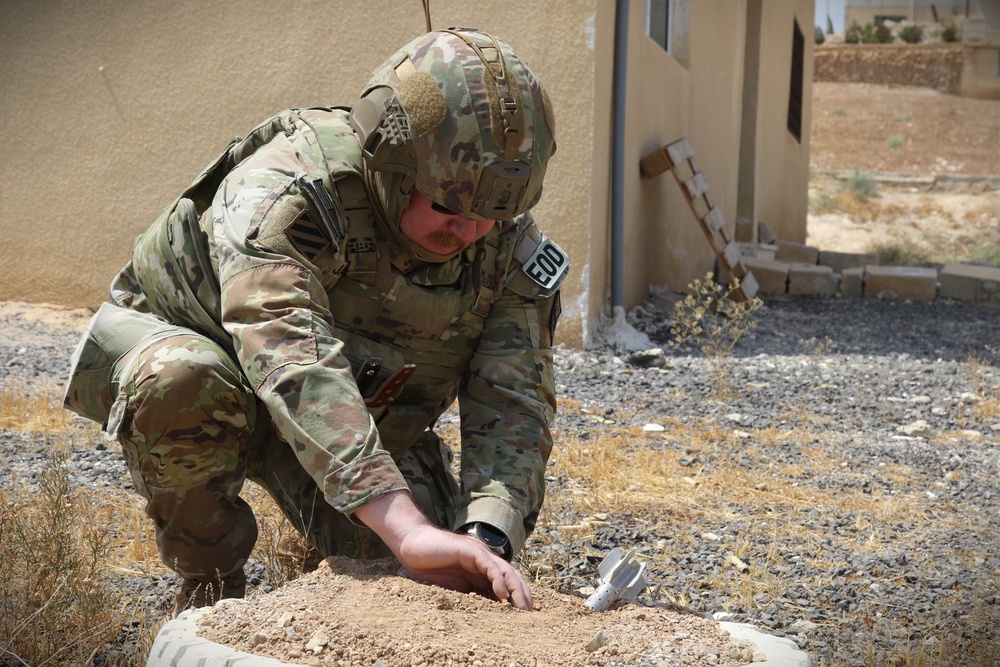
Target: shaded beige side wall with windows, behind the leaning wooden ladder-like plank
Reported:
point(700, 95)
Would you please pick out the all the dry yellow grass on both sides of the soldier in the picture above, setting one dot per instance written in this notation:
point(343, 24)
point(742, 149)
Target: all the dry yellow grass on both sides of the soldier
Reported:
point(57, 547)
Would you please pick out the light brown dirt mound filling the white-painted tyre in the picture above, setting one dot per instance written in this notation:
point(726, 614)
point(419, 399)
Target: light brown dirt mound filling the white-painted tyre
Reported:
point(352, 613)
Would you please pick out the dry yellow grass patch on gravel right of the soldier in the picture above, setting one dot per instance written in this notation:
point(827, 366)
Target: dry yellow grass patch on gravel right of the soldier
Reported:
point(735, 480)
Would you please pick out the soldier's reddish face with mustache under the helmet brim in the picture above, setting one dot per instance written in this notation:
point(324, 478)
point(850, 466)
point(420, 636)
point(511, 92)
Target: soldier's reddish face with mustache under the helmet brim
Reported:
point(437, 229)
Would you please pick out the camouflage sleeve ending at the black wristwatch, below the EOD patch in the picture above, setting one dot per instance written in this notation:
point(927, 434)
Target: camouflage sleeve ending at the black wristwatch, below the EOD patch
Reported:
point(507, 404)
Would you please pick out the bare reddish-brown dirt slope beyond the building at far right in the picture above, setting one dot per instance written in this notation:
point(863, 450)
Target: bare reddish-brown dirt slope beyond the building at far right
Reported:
point(937, 197)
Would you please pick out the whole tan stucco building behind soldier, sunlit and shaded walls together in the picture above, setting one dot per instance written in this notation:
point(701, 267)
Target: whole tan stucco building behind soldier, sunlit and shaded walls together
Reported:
point(109, 109)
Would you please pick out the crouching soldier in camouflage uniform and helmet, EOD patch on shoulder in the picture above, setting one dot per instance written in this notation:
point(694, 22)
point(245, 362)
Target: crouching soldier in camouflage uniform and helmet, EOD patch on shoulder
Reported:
point(306, 310)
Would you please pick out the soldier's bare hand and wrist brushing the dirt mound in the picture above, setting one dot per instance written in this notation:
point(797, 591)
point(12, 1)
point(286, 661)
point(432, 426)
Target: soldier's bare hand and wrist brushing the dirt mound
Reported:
point(432, 555)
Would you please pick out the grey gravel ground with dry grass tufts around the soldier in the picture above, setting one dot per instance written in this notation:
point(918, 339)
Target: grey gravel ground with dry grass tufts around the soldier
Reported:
point(868, 506)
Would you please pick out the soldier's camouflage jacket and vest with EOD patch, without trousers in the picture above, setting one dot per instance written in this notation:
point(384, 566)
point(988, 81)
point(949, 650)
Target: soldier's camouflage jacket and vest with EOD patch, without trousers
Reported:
point(290, 272)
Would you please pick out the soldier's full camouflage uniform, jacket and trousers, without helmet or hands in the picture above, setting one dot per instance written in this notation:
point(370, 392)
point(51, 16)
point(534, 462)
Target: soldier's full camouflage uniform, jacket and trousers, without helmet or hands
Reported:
point(238, 331)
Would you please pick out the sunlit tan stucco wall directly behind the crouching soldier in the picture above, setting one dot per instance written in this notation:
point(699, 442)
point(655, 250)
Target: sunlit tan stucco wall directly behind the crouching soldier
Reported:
point(108, 109)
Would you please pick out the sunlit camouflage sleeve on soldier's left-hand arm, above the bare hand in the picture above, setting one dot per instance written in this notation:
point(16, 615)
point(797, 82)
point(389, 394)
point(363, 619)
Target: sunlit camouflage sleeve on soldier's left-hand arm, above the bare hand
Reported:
point(277, 312)
